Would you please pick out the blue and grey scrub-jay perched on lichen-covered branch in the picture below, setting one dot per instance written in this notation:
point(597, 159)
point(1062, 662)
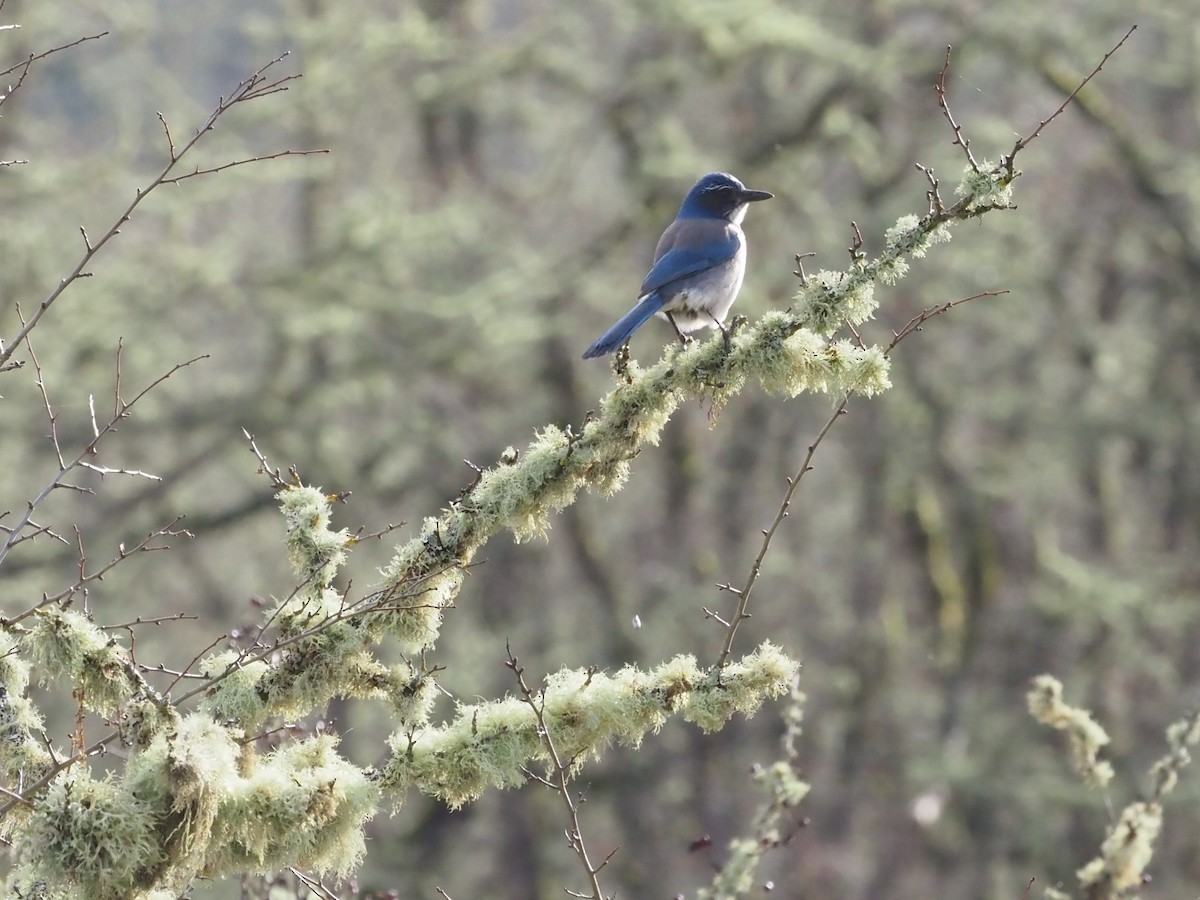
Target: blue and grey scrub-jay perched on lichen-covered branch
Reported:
point(699, 263)
